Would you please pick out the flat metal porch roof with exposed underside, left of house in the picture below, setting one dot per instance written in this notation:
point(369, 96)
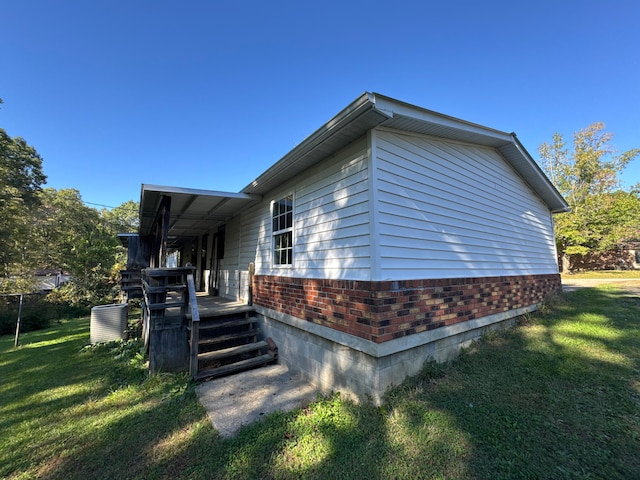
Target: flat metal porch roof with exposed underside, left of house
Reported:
point(193, 212)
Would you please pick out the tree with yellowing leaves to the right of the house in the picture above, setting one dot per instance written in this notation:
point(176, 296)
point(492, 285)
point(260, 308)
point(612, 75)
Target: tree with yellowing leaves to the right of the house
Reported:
point(602, 215)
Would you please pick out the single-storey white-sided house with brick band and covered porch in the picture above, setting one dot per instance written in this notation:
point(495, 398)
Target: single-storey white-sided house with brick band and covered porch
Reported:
point(391, 235)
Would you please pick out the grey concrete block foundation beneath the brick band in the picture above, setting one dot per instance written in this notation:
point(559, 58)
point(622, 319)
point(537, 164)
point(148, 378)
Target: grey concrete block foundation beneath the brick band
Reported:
point(363, 370)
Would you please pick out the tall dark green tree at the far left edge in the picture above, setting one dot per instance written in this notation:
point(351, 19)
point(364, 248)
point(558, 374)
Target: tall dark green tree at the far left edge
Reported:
point(21, 178)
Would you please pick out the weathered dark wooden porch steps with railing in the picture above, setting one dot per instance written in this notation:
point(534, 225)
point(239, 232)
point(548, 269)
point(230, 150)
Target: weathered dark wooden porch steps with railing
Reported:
point(205, 335)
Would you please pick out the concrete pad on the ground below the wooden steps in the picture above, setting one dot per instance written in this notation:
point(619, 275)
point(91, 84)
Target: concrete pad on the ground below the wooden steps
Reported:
point(241, 399)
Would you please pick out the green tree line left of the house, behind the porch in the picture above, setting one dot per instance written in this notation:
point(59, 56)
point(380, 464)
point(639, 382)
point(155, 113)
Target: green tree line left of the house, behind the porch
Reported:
point(44, 229)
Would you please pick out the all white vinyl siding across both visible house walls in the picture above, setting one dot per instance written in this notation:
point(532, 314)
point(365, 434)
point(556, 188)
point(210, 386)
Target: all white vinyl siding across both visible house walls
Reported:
point(443, 210)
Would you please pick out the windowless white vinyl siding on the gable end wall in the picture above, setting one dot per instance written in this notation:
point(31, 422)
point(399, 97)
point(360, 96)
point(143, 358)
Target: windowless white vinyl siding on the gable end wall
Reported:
point(450, 210)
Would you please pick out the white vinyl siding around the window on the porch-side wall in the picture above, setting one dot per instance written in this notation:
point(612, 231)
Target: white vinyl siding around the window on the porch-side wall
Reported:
point(331, 221)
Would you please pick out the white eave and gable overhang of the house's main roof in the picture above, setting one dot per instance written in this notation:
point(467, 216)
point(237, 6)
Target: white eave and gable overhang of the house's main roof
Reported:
point(372, 110)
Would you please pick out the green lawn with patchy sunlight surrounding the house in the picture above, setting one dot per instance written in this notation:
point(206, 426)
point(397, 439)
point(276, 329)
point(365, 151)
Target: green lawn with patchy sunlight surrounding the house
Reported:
point(557, 397)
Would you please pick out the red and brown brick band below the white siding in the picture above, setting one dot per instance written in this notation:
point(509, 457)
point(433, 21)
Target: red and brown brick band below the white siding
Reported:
point(382, 311)
